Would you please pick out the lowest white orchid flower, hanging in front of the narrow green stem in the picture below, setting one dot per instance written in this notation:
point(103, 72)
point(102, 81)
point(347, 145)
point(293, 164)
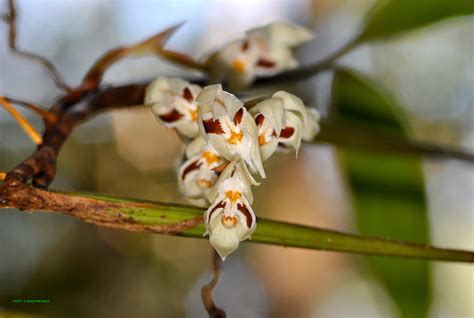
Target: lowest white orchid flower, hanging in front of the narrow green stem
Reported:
point(230, 219)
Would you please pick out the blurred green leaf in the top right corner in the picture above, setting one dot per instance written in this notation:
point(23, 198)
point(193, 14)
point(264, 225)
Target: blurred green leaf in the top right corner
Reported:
point(392, 17)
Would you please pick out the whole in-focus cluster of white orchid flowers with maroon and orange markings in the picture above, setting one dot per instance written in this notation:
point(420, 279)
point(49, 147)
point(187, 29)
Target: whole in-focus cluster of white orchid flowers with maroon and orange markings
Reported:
point(228, 144)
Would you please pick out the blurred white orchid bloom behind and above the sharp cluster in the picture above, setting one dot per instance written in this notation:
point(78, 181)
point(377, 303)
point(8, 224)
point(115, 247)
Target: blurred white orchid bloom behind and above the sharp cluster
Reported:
point(264, 51)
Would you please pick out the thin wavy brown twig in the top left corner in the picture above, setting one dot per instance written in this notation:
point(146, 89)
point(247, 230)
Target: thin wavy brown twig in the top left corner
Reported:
point(53, 72)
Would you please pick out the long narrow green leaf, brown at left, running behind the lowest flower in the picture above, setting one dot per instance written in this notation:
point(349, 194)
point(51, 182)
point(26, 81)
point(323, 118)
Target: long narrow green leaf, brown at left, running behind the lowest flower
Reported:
point(139, 215)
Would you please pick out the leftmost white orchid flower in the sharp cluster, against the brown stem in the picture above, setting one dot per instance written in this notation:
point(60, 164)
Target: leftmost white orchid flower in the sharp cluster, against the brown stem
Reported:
point(173, 103)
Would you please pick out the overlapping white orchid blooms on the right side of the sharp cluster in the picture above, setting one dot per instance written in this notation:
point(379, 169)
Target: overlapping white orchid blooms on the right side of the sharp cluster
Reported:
point(283, 120)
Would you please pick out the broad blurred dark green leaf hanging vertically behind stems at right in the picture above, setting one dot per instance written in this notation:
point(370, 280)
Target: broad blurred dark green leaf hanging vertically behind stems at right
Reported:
point(388, 190)
